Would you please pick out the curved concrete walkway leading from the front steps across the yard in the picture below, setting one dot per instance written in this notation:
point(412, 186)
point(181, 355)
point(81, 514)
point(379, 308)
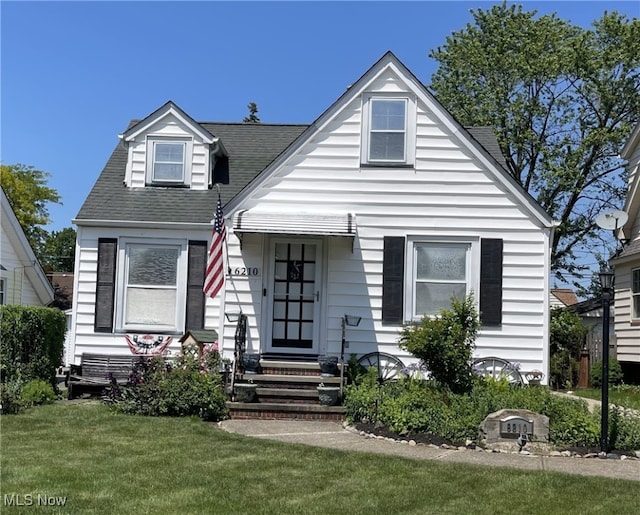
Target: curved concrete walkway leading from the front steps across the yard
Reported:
point(333, 435)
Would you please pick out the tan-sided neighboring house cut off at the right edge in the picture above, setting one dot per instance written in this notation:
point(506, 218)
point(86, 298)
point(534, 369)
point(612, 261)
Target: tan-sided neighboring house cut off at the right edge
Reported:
point(627, 267)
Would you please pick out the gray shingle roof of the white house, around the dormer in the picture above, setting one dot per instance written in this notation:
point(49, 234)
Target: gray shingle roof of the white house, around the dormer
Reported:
point(251, 148)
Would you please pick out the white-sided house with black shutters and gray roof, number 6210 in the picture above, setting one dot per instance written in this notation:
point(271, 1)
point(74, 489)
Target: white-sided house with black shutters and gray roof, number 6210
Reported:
point(383, 208)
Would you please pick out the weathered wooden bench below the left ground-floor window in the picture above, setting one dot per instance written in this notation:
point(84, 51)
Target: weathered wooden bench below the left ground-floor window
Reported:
point(96, 370)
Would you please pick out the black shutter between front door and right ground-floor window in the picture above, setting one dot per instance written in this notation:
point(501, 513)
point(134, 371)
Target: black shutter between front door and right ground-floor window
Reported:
point(393, 280)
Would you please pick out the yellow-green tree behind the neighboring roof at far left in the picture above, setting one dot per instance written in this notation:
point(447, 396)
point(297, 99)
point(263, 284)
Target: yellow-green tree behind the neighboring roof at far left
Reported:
point(28, 194)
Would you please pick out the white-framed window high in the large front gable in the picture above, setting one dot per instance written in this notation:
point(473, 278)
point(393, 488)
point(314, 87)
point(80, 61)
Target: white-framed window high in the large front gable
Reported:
point(388, 131)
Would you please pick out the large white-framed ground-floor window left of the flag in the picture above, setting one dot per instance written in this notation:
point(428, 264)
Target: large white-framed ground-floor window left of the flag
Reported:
point(153, 286)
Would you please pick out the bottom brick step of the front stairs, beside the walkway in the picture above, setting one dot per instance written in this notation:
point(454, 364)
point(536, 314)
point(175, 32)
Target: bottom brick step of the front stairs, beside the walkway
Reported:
point(287, 411)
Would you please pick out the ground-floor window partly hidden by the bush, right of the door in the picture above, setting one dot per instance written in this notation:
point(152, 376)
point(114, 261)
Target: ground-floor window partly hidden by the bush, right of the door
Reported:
point(440, 271)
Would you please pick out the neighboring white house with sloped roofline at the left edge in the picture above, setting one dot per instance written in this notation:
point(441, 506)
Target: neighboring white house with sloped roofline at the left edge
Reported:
point(22, 280)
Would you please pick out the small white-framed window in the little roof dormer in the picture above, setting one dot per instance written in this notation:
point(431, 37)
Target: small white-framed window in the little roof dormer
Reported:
point(169, 161)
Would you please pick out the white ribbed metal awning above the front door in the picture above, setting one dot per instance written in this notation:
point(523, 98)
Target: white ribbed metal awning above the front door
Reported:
point(251, 221)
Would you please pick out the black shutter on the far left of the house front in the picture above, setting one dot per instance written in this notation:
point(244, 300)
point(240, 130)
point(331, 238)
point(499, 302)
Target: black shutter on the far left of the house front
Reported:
point(105, 285)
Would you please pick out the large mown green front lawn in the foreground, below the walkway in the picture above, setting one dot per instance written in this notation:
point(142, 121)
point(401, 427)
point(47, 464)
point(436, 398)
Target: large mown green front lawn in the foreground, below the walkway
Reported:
point(109, 463)
